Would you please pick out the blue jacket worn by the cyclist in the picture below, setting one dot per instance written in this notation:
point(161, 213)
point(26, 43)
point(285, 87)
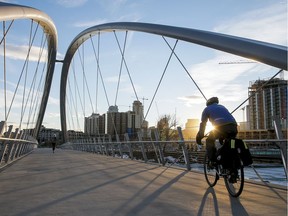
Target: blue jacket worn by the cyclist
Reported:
point(218, 115)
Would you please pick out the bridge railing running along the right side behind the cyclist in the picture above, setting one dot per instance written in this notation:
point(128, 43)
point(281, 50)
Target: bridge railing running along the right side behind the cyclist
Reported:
point(183, 152)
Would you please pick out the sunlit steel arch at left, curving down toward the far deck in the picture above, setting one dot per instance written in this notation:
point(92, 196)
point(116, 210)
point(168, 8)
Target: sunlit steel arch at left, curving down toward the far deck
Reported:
point(12, 11)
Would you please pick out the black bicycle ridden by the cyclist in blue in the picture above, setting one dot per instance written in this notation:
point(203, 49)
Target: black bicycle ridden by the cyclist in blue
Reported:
point(233, 174)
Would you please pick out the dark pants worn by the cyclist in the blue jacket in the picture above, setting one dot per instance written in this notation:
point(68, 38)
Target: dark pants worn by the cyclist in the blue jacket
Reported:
point(221, 133)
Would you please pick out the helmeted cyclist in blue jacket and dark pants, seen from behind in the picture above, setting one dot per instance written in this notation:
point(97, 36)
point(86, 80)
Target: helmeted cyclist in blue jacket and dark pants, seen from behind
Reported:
point(225, 126)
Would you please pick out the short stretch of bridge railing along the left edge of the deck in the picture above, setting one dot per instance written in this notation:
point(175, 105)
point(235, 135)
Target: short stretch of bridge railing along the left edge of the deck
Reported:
point(14, 149)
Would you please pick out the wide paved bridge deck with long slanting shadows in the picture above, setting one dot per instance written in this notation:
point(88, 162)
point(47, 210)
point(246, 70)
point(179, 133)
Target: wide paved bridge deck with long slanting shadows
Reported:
point(78, 183)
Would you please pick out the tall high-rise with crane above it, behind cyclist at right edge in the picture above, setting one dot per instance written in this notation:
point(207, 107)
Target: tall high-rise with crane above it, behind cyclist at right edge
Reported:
point(266, 103)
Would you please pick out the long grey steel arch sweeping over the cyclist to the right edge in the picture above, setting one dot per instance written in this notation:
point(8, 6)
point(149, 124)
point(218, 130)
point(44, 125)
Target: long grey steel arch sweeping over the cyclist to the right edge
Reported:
point(267, 53)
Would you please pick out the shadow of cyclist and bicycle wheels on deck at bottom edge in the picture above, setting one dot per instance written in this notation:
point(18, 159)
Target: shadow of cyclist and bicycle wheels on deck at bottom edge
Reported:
point(236, 206)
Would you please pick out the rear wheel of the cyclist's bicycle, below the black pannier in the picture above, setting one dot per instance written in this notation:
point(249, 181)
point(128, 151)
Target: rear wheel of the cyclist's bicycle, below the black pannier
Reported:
point(234, 182)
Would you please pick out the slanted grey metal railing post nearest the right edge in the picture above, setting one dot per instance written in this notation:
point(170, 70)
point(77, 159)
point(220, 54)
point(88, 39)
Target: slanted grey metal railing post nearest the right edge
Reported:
point(281, 145)
